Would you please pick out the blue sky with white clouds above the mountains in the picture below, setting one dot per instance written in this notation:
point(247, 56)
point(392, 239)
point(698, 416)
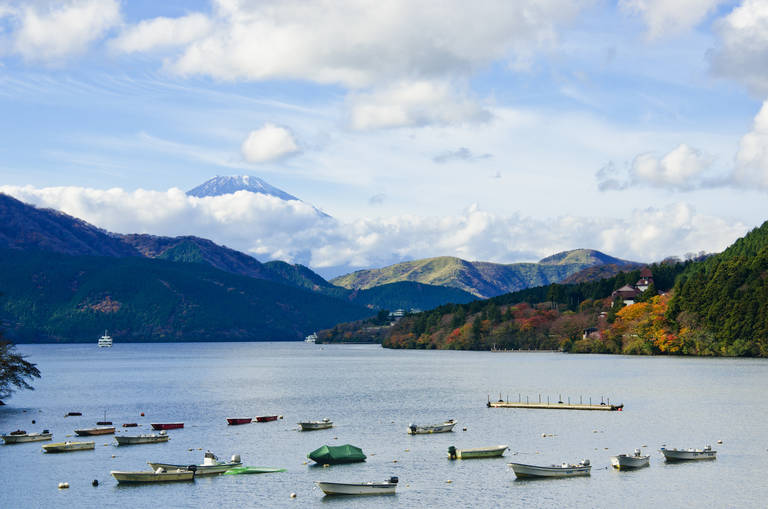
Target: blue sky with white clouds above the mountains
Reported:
point(489, 130)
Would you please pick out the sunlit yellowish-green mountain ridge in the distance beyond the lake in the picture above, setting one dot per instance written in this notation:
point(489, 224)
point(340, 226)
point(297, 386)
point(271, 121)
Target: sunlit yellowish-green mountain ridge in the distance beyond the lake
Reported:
point(483, 279)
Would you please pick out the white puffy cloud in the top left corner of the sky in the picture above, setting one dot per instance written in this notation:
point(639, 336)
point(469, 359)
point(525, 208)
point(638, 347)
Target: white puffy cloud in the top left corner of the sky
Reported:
point(51, 32)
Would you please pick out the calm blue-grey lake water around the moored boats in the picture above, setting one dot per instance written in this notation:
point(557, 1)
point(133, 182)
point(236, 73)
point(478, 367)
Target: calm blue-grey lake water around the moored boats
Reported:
point(372, 394)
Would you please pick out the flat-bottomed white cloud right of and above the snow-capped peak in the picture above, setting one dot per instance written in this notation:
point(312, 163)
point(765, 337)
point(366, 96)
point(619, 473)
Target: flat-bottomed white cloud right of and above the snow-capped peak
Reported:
point(413, 104)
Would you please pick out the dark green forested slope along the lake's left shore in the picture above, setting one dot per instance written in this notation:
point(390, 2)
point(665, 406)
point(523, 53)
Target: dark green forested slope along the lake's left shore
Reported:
point(55, 297)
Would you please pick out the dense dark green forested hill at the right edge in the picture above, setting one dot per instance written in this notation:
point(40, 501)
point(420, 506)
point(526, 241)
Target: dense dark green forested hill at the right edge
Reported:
point(724, 300)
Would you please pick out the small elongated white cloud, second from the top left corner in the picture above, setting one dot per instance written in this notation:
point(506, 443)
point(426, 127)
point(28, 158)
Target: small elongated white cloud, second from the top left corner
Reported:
point(162, 33)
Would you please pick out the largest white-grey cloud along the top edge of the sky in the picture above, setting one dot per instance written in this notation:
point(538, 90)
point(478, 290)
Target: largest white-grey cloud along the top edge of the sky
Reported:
point(360, 42)
